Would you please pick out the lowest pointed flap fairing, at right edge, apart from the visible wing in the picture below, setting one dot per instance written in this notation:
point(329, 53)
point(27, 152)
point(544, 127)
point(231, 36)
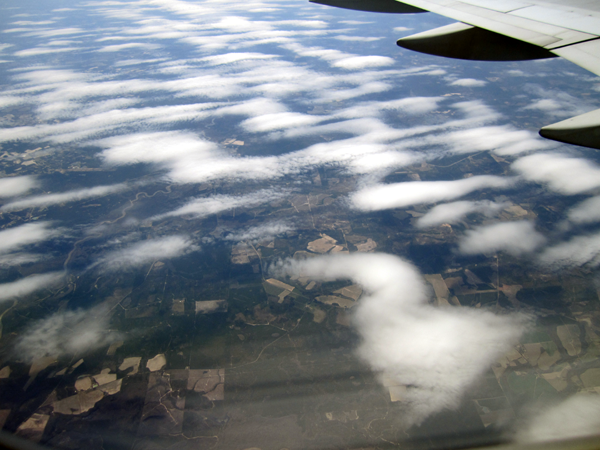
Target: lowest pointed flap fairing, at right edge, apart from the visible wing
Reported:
point(581, 130)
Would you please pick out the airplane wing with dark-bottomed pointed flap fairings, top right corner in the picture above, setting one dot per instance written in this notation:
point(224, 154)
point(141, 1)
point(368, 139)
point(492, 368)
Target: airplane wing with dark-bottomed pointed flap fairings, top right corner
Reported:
point(502, 30)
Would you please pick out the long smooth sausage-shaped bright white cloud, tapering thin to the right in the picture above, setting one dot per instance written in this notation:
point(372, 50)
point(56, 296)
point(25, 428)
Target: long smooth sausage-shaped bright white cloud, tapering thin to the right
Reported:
point(400, 195)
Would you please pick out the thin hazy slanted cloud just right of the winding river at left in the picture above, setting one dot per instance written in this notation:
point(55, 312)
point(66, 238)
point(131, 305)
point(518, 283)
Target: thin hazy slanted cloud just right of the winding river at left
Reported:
point(147, 251)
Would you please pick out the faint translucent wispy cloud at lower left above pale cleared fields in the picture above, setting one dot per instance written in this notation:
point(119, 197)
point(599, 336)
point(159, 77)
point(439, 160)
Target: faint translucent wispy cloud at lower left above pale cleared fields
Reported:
point(65, 333)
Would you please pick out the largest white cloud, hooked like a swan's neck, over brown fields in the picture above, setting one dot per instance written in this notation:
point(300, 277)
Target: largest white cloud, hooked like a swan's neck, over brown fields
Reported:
point(437, 353)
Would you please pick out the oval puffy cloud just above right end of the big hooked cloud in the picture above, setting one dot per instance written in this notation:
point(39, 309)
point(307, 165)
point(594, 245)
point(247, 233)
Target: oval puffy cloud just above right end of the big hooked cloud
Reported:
point(512, 237)
